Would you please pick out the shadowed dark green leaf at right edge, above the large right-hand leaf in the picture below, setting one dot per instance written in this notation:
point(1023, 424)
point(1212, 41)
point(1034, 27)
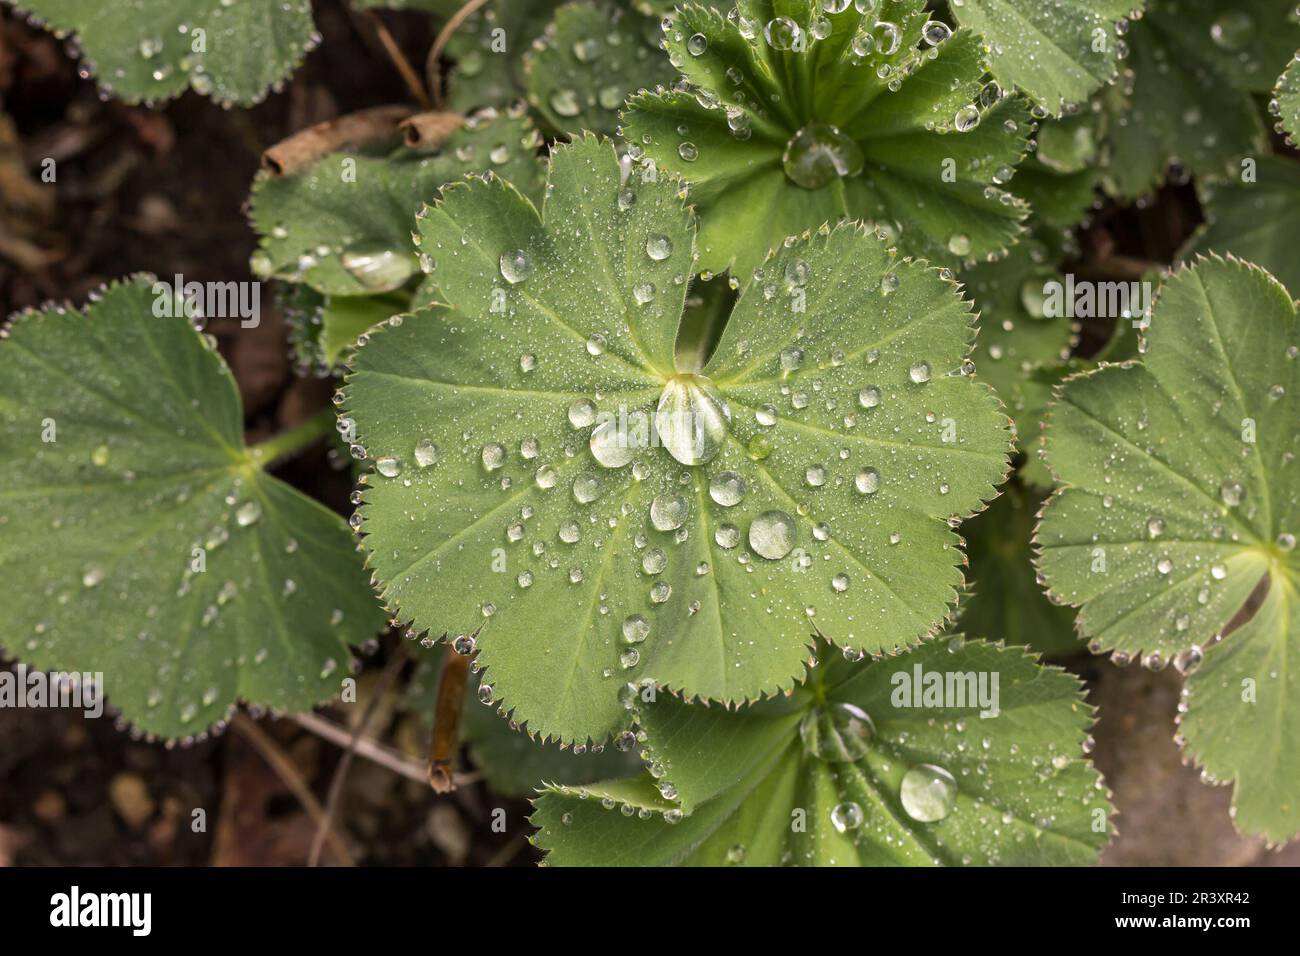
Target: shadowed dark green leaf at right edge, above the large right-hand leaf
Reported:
point(1255, 220)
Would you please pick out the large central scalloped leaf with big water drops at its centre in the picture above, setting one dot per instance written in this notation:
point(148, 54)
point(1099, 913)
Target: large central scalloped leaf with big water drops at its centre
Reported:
point(519, 529)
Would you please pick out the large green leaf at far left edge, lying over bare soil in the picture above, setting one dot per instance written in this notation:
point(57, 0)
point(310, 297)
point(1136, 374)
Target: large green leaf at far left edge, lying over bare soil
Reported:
point(101, 526)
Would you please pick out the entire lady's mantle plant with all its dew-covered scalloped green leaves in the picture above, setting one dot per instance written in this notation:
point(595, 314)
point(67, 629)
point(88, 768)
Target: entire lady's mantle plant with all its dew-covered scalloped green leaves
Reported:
point(678, 352)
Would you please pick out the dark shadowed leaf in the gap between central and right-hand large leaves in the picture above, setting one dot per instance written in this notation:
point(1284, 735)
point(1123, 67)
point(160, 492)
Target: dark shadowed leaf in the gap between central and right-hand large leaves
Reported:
point(1006, 596)
